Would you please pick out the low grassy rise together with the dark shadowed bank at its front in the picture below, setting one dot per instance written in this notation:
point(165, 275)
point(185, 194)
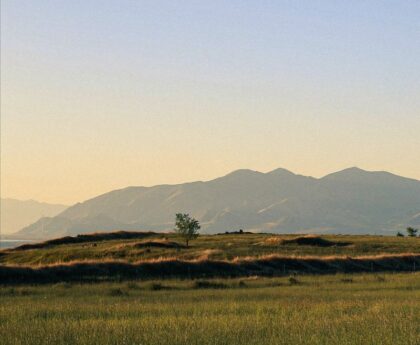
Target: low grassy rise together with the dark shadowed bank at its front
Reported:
point(148, 255)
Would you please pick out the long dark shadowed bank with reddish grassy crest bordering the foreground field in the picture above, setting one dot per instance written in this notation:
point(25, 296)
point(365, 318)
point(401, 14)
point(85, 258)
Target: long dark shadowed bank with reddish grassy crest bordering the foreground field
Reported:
point(272, 265)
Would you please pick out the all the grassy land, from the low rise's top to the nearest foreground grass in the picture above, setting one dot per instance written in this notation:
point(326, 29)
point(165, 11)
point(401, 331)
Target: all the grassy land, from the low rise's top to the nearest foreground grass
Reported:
point(127, 305)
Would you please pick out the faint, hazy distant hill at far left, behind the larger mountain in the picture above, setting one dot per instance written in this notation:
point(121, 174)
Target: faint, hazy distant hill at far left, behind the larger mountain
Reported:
point(16, 214)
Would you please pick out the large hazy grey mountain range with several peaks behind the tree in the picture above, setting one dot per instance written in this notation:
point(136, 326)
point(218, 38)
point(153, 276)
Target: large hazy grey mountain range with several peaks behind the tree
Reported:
point(349, 201)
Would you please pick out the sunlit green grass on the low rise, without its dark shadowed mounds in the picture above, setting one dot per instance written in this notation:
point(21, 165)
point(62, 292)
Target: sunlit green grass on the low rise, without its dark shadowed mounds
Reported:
point(216, 247)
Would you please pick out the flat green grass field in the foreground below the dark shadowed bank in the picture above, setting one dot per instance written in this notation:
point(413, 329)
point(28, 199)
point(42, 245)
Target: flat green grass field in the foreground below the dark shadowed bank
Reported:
point(338, 309)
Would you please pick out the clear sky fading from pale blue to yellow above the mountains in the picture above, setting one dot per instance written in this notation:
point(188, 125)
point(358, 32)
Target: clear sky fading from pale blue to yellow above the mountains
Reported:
point(100, 95)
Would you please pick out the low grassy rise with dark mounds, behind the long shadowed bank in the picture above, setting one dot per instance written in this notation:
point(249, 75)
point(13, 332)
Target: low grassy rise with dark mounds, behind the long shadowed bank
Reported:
point(132, 247)
